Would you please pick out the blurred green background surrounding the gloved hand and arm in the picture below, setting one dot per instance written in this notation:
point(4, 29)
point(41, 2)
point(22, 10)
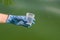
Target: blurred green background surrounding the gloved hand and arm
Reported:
point(47, 25)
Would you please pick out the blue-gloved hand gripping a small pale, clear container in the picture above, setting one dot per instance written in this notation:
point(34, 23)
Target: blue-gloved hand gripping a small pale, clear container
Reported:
point(25, 21)
